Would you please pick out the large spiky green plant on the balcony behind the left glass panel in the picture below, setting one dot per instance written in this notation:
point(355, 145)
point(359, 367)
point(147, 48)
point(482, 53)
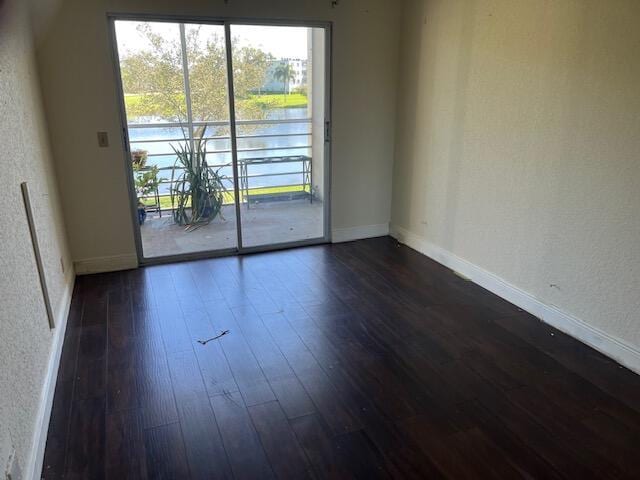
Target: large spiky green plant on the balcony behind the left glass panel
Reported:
point(197, 192)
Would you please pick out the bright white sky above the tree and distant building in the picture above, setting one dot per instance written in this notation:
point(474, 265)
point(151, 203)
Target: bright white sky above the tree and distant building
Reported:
point(281, 42)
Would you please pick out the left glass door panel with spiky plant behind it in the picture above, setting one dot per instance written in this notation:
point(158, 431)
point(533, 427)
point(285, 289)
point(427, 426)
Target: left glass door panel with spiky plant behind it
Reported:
point(174, 80)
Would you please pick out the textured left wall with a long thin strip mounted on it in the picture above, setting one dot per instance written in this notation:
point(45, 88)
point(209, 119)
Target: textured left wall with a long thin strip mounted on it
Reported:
point(24, 156)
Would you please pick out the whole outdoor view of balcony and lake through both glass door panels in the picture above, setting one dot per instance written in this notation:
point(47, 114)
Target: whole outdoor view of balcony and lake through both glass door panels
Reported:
point(214, 172)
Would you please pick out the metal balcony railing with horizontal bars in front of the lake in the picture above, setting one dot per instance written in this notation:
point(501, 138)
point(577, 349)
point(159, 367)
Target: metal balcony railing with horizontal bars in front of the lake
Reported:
point(305, 185)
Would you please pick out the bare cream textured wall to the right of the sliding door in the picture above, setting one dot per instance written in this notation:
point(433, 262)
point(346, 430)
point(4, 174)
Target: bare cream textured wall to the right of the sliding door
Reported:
point(518, 146)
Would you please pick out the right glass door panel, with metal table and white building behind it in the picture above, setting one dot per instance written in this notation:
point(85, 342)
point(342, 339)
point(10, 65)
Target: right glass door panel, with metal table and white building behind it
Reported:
point(279, 97)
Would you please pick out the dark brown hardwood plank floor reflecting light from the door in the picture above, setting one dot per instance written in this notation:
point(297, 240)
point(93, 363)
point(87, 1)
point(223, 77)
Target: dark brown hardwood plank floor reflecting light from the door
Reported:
point(359, 360)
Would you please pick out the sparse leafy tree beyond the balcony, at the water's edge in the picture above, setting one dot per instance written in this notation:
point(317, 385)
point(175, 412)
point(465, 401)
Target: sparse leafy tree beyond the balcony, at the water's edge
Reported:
point(153, 78)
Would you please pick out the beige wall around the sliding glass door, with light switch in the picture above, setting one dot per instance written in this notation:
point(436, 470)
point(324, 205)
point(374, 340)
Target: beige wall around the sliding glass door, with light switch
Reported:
point(80, 97)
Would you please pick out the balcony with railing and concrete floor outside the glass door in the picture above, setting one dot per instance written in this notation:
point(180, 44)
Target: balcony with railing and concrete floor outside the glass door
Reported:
point(279, 198)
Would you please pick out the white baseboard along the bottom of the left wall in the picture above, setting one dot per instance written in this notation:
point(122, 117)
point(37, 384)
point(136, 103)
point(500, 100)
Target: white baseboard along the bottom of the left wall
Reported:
point(36, 456)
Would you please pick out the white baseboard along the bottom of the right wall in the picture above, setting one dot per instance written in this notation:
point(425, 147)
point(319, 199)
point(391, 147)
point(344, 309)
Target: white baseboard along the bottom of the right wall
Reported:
point(613, 347)
